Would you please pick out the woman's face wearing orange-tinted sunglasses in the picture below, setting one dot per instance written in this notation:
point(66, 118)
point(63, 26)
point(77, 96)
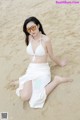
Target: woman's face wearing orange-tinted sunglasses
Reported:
point(32, 28)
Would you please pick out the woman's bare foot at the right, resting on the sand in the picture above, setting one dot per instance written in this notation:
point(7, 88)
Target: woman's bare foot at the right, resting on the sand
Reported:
point(59, 79)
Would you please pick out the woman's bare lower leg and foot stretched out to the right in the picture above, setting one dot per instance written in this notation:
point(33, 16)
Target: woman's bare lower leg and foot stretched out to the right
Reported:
point(57, 80)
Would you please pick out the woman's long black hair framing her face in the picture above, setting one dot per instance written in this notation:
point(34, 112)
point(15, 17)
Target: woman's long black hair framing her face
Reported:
point(37, 22)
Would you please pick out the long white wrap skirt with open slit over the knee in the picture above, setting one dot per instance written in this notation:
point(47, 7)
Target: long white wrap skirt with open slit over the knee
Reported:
point(40, 75)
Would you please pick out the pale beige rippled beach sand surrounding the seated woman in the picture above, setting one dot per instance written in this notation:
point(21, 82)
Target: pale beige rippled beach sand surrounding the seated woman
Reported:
point(61, 22)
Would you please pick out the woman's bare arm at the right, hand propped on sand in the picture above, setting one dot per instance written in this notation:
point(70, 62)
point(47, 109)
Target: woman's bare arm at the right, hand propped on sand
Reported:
point(52, 56)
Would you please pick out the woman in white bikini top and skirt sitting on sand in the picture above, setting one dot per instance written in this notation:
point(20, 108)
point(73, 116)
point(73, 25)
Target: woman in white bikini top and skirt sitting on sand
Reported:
point(35, 85)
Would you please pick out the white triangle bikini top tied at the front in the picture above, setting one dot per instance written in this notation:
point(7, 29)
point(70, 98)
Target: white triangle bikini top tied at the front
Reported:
point(38, 52)
